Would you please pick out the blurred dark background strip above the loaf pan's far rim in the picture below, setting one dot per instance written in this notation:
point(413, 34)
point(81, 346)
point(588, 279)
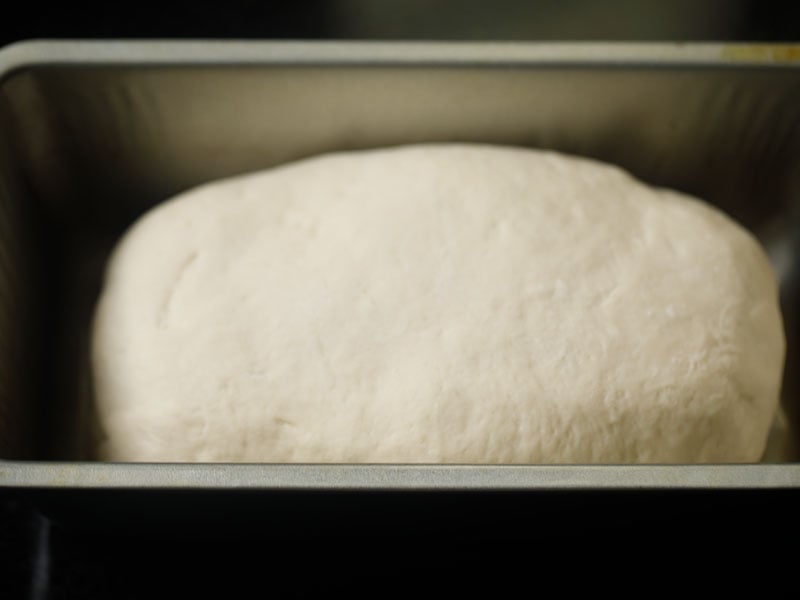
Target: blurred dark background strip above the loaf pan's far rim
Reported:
point(407, 19)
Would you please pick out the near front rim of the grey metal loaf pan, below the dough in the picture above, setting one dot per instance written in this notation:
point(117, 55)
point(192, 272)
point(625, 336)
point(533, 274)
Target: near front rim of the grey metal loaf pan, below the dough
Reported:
point(340, 477)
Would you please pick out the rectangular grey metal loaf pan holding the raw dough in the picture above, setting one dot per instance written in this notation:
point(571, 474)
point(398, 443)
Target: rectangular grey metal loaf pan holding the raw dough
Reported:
point(95, 133)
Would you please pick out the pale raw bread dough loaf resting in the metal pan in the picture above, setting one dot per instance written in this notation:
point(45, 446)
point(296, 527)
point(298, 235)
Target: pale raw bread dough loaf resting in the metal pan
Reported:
point(443, 303)
